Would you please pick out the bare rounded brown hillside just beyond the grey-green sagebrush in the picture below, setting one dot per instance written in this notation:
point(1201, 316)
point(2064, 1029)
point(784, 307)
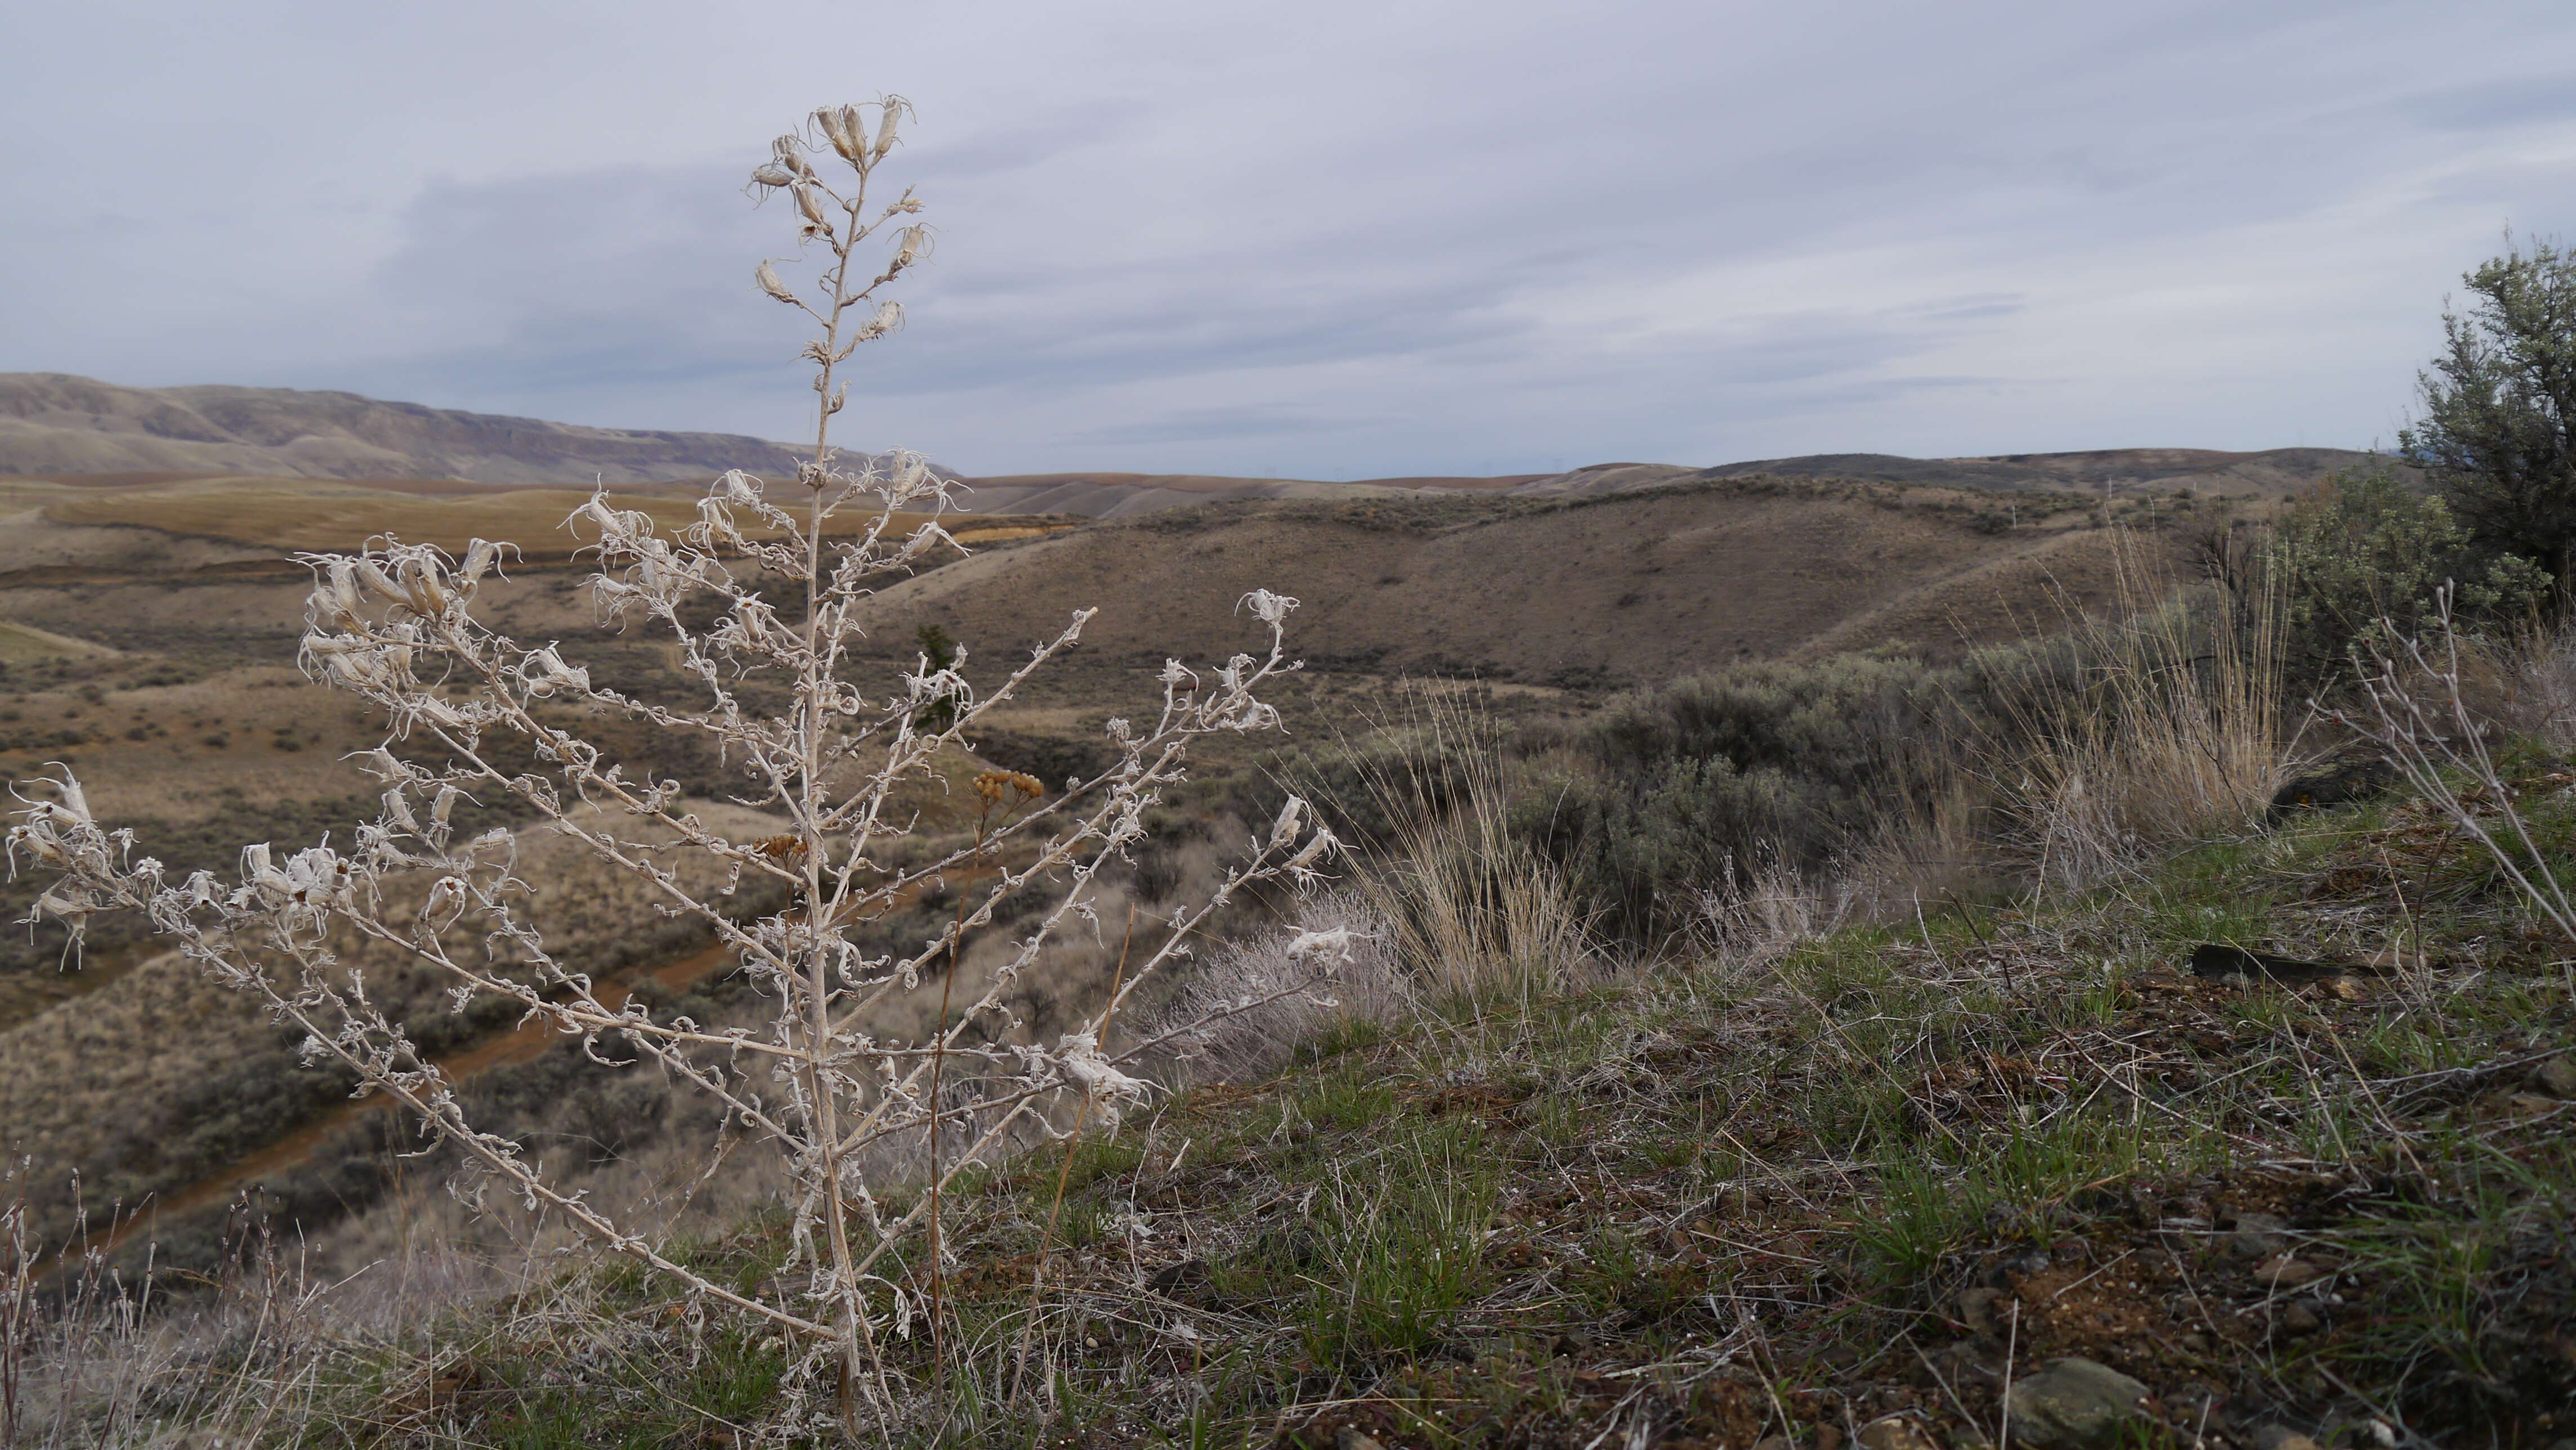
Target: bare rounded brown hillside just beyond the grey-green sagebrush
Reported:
point(1622, 588)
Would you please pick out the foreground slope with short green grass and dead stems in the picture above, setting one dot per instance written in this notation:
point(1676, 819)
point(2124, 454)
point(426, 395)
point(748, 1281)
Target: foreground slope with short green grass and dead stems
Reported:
point(1707, 1204)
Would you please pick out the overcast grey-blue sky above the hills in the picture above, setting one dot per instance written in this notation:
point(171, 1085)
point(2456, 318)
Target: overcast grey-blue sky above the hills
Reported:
point(1305, 238)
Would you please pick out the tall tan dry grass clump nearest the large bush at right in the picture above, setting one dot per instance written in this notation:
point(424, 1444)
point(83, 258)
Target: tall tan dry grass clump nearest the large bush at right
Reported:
point(2170, 725)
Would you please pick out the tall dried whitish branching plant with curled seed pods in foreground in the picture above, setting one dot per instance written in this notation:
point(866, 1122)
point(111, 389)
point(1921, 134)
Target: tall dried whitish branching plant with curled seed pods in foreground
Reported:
point(784, 570)
